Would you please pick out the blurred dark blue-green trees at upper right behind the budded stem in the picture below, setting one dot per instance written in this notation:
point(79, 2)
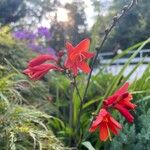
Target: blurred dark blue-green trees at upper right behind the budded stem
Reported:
point(133, 28)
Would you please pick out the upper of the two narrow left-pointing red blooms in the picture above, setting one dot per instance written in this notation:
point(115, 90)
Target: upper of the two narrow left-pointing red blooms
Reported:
point(41, 59)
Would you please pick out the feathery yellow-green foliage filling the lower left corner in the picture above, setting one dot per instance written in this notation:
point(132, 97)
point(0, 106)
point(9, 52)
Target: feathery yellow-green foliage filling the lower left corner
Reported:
point(23, 126)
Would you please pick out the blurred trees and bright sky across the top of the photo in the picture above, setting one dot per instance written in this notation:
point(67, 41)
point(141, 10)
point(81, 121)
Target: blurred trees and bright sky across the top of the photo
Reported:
point(74, 20)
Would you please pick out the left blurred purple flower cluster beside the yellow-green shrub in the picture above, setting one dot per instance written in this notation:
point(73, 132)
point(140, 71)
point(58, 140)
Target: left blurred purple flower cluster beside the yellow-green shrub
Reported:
point(24, 35)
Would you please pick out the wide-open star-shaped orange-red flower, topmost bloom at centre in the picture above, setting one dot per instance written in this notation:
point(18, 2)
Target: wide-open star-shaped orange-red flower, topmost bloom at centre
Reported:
point(77, 56)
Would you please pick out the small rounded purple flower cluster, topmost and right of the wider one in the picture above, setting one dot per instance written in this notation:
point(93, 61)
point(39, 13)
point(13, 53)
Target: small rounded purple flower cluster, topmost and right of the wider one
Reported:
point(43, 31)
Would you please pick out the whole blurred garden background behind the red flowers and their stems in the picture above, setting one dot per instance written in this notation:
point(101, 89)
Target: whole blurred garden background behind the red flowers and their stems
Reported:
point(32, 27)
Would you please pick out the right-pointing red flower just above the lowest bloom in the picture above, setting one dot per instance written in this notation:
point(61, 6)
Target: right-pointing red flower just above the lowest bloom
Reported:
point(121, 100)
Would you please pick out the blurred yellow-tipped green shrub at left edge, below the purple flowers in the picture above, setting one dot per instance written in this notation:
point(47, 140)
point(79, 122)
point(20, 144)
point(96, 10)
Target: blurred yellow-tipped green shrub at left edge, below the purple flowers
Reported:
point(16, 53)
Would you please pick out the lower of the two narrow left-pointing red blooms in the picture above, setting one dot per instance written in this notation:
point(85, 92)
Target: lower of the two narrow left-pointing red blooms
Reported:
point(37, 72)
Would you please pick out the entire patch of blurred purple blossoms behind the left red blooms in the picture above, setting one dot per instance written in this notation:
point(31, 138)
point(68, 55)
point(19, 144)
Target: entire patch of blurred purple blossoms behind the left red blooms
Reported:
point(37, 40)
